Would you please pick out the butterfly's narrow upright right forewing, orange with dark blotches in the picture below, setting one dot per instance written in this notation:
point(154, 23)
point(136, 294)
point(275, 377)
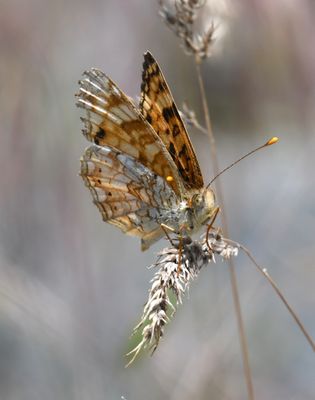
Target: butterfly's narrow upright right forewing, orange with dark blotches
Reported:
point(159, 109)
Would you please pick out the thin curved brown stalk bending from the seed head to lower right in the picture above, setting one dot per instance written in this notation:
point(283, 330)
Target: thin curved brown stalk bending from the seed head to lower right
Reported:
point(265, 273)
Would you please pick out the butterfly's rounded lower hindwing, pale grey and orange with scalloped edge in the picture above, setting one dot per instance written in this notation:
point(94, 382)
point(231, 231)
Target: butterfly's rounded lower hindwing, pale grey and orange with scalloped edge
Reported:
point(126, 192)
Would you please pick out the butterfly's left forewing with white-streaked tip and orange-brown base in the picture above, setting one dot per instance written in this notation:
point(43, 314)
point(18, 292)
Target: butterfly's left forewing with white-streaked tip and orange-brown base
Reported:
point(113, 120)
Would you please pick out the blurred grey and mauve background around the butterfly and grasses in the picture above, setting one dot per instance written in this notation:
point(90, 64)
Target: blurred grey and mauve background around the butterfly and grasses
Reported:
point(73, 287)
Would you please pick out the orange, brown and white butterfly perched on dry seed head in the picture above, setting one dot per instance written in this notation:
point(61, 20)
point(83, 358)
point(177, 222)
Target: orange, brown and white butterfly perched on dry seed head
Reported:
point(141, 169)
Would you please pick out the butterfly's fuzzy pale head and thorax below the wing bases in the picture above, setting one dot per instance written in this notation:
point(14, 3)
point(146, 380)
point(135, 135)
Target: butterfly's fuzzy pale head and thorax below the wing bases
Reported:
point(188, 215)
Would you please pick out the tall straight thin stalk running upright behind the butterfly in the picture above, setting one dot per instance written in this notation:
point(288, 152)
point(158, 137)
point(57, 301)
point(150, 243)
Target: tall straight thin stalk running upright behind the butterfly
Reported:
point(236, 301)
